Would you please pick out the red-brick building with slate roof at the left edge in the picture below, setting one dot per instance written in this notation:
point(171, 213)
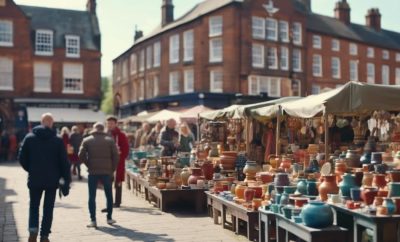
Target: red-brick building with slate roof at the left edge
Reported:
point(49, 58)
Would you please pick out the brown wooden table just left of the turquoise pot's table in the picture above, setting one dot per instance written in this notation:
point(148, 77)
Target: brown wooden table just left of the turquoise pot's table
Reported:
point(222, 207)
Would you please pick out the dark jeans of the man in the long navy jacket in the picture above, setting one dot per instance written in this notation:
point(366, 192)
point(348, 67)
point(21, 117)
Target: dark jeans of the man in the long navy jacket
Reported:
point(48, 207)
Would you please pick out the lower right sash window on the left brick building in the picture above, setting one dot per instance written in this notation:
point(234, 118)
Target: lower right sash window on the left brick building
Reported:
point(73, 78)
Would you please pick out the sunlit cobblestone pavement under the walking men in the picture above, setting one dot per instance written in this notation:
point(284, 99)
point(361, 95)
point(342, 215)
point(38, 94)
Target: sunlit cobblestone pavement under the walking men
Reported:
point(137, 220)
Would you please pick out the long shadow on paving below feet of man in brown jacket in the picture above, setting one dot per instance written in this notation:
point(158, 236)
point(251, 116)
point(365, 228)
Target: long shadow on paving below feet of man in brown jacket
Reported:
point(119, 231)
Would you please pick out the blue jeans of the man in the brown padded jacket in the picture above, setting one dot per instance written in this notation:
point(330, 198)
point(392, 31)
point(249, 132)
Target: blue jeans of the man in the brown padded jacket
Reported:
point(92, 182)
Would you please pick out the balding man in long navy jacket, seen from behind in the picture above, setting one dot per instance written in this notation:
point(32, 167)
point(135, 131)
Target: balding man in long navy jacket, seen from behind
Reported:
point(44, 157)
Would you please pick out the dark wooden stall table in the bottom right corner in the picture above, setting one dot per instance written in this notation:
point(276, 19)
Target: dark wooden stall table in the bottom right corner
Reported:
point(385, 228)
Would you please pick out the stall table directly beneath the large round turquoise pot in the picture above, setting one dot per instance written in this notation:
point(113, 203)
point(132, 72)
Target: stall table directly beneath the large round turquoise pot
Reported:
point(287, 229)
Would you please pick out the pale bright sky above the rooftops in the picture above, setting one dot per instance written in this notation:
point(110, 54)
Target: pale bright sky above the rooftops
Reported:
point(118, 18)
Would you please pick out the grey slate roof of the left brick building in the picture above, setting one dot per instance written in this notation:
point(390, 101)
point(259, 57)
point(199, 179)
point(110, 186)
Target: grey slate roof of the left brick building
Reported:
point(64, 22)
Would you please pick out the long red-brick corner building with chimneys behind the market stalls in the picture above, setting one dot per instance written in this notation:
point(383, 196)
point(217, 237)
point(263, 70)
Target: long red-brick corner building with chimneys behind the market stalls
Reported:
point(249, 47)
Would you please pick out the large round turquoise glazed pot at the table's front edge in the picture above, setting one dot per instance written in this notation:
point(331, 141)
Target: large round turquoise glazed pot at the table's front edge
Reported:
point(317, 214)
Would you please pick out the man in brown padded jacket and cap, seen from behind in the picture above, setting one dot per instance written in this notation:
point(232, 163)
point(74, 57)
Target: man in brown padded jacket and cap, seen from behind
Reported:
point(99, 153)
